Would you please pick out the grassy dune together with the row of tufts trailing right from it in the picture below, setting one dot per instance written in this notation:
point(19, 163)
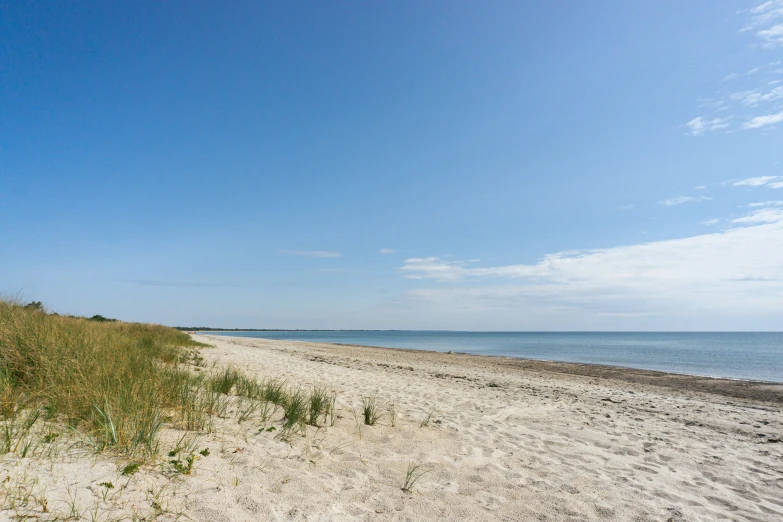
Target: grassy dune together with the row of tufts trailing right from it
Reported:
point(119, 384)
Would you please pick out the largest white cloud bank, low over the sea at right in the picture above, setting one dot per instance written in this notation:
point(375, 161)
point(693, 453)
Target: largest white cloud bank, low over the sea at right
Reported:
point(733, 272)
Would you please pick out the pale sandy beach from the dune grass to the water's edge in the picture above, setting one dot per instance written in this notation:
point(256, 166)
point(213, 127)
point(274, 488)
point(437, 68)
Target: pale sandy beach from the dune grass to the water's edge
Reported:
point(508, 440)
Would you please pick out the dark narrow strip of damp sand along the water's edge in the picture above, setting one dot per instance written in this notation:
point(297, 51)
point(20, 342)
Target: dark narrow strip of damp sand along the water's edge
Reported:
point(751, 389)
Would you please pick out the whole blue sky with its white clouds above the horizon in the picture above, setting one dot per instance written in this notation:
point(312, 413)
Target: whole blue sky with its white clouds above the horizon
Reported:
point(456, 165)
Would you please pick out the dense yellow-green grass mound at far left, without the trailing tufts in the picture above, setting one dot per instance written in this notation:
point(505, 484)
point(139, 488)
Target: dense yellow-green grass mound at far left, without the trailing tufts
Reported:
point(117, 382)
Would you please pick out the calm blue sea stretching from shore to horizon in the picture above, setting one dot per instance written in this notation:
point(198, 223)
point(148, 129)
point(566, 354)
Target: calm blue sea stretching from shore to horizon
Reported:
point(734, 355)
